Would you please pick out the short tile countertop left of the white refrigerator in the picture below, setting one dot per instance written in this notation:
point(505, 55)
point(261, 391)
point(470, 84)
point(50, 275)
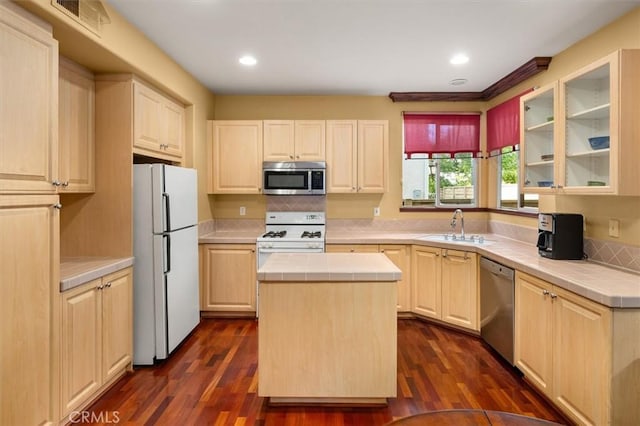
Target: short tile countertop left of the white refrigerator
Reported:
point(75, 271)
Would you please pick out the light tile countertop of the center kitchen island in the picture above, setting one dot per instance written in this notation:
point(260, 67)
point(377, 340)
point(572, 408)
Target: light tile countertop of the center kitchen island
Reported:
point(329, 267)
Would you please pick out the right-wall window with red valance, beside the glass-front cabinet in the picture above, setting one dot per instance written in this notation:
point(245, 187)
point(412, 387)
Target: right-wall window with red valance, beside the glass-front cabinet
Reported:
point(503, 135)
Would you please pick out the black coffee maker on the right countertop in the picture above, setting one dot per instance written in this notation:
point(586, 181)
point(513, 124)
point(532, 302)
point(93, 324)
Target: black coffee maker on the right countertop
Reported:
point(560, 236)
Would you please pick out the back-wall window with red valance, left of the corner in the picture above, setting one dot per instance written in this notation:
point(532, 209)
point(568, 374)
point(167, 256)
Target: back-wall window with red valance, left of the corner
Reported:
point(440, 165)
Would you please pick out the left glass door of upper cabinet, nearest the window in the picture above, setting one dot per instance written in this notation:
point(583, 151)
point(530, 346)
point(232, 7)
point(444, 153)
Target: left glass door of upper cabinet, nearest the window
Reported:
point(537, 134)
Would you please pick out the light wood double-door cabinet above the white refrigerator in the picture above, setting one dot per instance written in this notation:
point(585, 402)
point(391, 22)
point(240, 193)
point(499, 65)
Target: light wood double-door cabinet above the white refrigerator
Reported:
point(159, 124)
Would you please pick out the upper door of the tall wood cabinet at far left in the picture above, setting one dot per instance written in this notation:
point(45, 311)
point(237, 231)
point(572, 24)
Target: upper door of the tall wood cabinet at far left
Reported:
point(28, 103)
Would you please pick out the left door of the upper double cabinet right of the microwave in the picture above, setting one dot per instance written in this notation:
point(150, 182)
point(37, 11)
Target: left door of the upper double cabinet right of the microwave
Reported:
point(342, 156)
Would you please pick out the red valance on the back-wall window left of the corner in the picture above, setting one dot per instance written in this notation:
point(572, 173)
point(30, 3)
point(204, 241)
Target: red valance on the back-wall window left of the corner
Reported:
point(451, 134)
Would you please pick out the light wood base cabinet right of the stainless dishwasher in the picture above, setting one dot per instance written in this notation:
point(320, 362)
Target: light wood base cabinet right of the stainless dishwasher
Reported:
point(582, 355)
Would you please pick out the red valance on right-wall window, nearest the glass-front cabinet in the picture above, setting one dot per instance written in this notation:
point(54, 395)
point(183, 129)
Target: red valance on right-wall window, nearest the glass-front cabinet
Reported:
point(503, 125)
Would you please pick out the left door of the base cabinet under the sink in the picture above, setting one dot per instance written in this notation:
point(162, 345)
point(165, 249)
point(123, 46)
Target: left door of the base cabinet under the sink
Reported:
point(425, 279)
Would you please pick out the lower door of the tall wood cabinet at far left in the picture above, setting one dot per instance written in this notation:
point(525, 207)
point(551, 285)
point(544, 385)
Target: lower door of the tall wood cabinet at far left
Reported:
point(29, 273)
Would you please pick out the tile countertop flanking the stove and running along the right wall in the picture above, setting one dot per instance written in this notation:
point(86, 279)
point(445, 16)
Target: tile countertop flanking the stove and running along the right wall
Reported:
point(608, 286)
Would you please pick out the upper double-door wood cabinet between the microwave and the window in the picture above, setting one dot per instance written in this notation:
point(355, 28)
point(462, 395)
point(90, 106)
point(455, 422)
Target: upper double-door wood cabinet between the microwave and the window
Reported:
point(357, 156)
